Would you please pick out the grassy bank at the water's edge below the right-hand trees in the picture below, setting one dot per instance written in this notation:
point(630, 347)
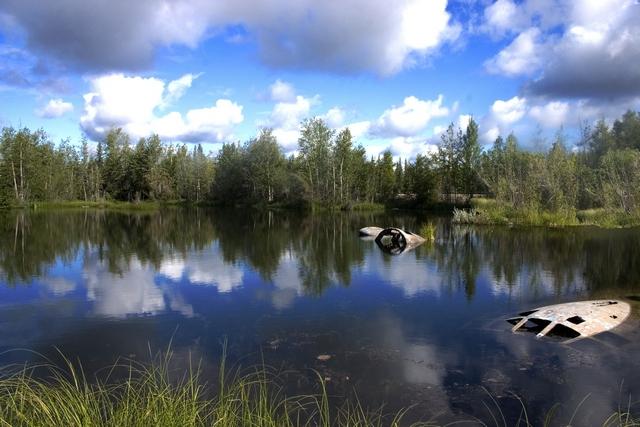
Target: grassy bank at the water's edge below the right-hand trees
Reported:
point(492, 212)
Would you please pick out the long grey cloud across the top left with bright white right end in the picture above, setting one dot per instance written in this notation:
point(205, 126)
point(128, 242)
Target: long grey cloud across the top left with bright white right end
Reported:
point(368, 35)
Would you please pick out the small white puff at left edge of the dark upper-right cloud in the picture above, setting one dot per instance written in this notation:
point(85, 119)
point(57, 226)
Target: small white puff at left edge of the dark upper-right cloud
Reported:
point(522, 56)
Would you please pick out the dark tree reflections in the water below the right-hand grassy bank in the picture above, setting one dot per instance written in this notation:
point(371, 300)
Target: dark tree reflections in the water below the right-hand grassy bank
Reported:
point(539, 259)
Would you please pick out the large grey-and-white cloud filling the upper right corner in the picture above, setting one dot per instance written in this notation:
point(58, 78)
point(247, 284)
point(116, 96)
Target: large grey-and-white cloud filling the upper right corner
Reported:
point(593, 53)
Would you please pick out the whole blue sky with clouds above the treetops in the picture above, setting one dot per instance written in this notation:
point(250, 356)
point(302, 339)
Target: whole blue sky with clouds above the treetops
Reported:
point(396, 73)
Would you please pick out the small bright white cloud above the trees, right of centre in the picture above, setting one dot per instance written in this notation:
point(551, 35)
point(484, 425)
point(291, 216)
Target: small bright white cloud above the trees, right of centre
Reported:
point(410, 118)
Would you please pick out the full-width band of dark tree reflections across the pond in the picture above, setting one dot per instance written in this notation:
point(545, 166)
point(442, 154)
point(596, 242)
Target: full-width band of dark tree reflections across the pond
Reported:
point(322, 248)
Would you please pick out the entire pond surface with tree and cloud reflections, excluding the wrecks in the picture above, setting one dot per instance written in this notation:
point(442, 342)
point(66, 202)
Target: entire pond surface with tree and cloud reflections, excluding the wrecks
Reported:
point(425, 328)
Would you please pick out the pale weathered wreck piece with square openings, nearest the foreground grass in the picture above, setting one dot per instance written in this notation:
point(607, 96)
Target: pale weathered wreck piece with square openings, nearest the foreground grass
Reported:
point(574, 320)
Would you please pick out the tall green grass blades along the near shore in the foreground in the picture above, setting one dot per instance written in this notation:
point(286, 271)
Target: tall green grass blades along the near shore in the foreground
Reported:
point(153, 395)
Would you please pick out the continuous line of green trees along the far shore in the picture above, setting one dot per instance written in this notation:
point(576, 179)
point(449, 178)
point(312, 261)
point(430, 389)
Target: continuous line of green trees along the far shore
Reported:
point(329, 169)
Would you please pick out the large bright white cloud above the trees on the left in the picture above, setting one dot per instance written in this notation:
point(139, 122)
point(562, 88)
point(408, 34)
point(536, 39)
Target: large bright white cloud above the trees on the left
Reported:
point(131, 102)
